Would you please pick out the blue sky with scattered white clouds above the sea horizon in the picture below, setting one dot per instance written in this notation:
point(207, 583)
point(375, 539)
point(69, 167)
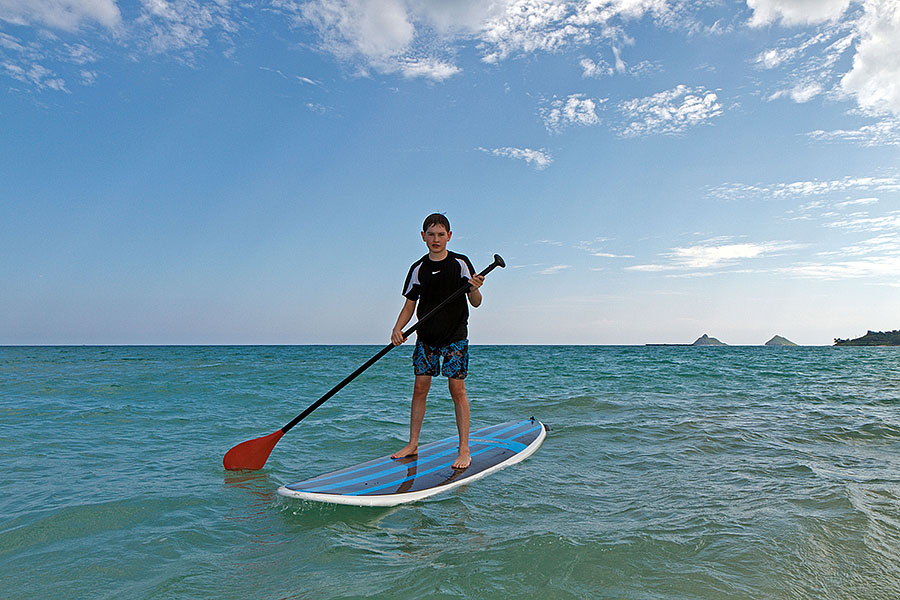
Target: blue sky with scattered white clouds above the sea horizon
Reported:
point(257, 171)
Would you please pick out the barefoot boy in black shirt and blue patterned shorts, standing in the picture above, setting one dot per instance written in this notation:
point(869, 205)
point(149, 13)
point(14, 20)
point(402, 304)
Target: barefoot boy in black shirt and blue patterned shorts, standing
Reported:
point(430, 280)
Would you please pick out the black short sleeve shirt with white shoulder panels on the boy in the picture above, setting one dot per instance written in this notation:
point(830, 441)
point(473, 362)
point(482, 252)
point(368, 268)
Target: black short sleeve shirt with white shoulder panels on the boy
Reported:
point(430, 283)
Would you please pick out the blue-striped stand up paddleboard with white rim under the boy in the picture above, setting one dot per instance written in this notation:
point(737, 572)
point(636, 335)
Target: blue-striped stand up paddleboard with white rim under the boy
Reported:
point(387, 481)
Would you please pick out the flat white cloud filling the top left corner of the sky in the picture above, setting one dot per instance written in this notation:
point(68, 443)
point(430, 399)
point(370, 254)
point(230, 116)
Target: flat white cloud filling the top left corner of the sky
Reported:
point(67, 15)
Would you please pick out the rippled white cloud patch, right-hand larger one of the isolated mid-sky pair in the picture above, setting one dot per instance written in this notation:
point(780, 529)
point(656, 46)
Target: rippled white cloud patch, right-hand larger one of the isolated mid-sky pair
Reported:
point(669, 112)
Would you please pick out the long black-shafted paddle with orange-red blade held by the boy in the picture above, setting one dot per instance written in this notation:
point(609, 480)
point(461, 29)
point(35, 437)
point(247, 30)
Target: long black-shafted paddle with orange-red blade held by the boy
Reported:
point(253, 454)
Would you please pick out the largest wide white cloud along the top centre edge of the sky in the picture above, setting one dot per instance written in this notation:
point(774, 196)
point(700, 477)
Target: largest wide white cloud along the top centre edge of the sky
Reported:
point(379, 32)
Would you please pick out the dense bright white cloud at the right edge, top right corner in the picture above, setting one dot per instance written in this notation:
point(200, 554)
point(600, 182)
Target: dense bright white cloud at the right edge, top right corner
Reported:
point(874, 79)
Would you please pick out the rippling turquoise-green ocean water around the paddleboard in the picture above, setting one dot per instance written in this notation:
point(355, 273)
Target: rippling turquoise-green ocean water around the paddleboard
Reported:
point(670, 472)
